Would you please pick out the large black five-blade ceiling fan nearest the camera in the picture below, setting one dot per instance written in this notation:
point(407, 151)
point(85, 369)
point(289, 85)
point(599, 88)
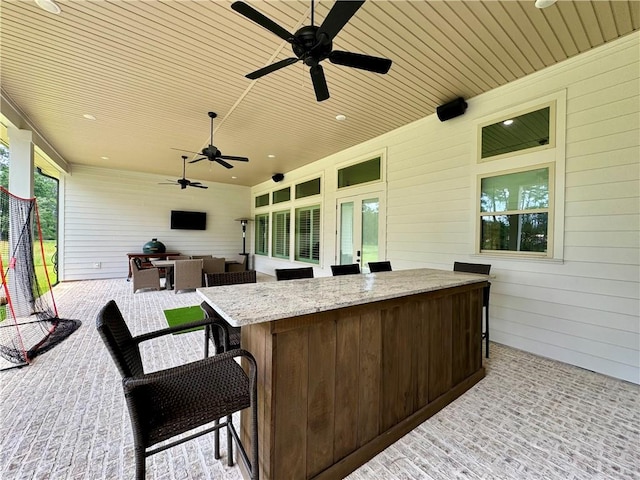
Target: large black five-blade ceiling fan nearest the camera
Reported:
point(312, 44)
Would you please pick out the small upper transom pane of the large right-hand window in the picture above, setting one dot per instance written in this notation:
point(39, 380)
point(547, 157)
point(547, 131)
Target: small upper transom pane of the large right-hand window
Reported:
point(530, 131)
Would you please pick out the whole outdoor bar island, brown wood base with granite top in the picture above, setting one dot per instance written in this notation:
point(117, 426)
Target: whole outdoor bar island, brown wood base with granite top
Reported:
point(347, 365)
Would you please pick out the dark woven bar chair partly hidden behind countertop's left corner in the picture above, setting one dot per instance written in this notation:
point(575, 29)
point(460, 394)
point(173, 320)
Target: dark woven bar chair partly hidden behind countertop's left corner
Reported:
point(226, 337)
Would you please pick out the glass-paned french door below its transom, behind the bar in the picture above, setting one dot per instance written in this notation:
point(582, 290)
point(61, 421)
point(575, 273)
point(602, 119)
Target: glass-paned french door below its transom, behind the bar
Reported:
point(360, 230)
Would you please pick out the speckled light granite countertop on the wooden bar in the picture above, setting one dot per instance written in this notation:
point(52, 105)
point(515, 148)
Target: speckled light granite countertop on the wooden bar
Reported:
point(249, 303)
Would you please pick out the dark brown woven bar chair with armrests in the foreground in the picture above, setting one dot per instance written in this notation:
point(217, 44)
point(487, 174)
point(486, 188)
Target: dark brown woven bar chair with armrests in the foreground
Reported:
point(171, 402)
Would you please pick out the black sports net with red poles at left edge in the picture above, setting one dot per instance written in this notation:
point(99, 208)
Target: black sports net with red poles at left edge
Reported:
point(29, 323)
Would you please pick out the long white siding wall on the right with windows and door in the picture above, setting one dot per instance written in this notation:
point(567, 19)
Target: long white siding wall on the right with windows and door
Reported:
point(584, 309)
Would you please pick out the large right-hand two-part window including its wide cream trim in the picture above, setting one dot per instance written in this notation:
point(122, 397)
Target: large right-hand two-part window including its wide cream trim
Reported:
point(520, 180)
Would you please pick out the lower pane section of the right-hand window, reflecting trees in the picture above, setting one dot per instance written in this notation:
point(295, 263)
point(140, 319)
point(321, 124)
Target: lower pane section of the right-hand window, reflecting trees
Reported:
point(515, 211)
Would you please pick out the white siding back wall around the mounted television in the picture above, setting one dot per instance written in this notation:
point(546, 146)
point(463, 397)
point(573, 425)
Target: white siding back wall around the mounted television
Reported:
point(107, 214)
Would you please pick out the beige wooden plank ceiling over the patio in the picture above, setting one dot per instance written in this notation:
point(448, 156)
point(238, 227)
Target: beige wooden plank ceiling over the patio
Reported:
point(149, 72)
